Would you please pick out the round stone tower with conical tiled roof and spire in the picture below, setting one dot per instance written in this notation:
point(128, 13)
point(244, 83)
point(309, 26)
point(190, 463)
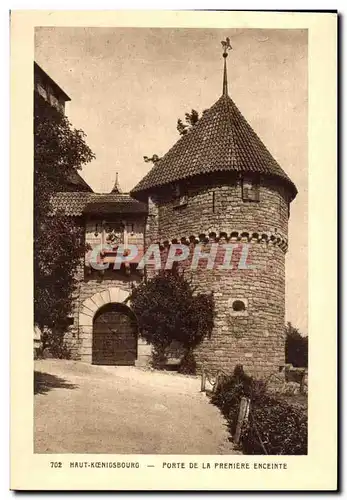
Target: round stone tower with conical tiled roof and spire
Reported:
point(219, 184)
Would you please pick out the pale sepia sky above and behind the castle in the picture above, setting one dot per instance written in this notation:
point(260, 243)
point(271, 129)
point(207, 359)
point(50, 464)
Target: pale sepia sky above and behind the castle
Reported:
point(128, 87)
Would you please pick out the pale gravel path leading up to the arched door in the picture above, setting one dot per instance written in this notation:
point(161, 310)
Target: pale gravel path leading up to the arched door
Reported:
point(81, 408)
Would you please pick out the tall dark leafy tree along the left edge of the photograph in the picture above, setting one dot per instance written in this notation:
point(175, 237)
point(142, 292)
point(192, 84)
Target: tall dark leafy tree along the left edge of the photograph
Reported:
point(58, 241)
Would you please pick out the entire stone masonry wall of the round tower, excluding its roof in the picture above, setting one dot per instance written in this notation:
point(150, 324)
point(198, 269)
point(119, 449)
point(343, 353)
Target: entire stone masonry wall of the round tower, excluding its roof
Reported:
point(254, 337)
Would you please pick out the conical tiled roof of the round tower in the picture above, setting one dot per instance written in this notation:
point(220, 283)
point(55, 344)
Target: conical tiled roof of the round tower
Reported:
point(221, 141)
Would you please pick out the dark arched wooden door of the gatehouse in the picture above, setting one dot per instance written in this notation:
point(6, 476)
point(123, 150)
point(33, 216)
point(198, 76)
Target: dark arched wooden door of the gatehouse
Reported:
point(114, 336)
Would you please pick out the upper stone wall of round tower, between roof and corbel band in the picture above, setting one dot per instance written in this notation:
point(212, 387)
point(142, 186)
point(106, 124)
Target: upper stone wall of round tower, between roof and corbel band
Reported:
point(221, 208)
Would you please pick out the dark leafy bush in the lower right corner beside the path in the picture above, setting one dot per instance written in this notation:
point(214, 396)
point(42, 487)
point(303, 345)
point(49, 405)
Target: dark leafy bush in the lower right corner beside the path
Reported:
point(275, 427)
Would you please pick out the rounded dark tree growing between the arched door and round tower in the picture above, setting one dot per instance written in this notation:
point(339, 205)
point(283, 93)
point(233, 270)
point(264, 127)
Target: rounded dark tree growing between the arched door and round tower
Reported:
point(168, 309)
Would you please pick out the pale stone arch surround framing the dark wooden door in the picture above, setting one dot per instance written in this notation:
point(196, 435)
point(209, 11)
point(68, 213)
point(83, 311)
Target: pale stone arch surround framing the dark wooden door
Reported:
point(87, 312)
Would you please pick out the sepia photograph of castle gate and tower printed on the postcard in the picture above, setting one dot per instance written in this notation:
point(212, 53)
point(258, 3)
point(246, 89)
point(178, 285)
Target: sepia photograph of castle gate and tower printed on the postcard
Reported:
point(170, 241)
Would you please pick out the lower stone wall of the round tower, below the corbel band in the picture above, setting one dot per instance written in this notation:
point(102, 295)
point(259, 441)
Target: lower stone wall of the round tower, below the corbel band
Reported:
point(254, 337)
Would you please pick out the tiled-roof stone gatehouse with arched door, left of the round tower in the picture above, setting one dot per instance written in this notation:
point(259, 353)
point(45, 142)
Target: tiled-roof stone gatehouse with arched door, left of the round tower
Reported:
point(103, 329)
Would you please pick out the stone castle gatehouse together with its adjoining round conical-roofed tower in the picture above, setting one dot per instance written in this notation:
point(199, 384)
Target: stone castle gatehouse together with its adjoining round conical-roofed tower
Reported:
point(217, 184)
